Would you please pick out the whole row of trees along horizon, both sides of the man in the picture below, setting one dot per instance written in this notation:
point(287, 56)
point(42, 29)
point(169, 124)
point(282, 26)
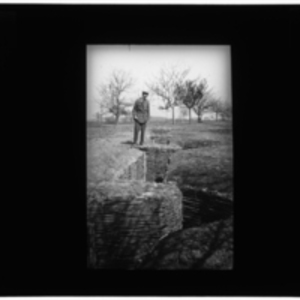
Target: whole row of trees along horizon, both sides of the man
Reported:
point(171, 86)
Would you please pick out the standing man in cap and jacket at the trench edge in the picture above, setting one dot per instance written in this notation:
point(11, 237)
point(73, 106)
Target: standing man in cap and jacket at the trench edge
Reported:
point(141, 115)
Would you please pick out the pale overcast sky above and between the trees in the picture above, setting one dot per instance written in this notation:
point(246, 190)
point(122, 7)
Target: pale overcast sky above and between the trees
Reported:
point(144, 63)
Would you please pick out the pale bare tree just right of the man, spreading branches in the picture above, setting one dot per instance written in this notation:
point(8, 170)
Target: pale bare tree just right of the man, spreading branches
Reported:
point(165, 85)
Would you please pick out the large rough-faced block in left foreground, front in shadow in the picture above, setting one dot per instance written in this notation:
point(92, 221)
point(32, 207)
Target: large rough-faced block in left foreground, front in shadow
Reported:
point(126, 220)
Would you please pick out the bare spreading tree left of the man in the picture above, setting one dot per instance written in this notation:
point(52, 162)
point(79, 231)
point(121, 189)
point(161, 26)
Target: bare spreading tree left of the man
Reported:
point(112, 93)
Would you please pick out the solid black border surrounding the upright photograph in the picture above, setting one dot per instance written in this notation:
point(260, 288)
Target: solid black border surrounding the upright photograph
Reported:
point(54, 40)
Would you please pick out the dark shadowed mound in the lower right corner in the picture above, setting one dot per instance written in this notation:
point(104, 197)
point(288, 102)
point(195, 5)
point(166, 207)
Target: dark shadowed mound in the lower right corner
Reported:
point(209, 246)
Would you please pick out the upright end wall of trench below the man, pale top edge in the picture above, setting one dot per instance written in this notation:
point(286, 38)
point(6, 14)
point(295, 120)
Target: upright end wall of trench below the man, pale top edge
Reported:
point(158, 157)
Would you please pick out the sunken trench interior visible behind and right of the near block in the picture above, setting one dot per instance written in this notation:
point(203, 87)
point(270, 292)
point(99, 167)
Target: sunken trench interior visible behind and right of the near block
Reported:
point(199, 206)
